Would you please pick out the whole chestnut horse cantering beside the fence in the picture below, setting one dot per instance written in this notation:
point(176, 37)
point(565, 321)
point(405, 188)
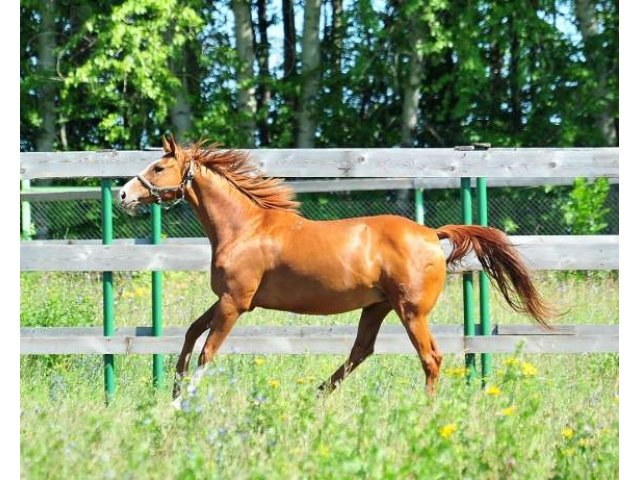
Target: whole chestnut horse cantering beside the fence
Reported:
point(264, 254)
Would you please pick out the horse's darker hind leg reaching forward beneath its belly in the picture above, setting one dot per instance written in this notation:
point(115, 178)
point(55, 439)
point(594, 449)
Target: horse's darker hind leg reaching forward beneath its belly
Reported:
point(368, 328)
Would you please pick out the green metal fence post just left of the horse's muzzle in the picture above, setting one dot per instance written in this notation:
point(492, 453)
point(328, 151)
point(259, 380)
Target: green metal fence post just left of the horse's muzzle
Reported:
point(107, 289)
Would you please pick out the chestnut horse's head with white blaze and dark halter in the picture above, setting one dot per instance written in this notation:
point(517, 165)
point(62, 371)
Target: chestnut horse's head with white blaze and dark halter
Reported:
point(165, 180)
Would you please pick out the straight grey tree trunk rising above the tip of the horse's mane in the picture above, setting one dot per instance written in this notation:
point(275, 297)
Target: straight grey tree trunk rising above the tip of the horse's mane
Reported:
point(310, 74)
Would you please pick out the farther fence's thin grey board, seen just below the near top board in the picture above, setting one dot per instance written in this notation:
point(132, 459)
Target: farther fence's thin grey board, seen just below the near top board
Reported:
point(44, 194)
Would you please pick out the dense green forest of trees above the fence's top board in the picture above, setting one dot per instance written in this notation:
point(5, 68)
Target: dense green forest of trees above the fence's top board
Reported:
point(318, 73)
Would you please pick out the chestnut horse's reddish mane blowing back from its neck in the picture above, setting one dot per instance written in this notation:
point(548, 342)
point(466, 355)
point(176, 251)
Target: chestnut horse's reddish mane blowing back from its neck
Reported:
point(235, 166)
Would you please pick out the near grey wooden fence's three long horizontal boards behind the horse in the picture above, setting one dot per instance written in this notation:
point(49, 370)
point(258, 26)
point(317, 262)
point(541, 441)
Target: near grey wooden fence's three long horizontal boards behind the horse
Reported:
point(382, 168)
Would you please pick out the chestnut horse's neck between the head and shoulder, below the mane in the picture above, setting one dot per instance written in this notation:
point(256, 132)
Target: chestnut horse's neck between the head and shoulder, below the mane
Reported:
point(223, 211)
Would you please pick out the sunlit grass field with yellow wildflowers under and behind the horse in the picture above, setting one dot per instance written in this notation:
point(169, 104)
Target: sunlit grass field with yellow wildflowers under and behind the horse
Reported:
point(543, 416)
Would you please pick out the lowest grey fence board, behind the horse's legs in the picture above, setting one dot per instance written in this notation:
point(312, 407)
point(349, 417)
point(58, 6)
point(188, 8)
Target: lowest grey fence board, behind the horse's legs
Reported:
point(336, 339)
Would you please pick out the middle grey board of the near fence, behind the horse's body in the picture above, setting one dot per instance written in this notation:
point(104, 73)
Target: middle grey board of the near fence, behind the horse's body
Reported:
point(553, 252)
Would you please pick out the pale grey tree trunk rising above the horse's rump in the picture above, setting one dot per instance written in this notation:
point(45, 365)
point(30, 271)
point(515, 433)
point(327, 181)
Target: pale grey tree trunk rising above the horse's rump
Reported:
point(411, 97)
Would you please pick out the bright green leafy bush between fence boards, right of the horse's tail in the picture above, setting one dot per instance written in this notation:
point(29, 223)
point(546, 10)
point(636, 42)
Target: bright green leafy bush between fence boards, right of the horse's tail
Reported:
point(585, 212)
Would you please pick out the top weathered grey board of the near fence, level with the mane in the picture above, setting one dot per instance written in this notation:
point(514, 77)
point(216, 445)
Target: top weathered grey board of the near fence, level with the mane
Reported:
point(360, 162)
